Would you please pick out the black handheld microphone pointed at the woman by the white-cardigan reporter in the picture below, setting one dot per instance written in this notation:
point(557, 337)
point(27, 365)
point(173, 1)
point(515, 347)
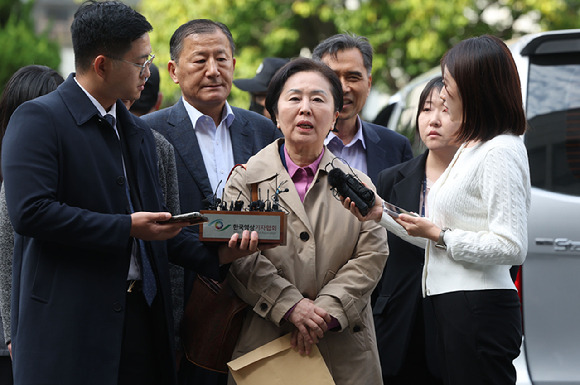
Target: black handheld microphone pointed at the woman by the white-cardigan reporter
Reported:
point(348, 186)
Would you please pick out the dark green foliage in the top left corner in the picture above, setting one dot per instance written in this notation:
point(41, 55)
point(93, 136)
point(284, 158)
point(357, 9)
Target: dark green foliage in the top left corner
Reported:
point(21, 46)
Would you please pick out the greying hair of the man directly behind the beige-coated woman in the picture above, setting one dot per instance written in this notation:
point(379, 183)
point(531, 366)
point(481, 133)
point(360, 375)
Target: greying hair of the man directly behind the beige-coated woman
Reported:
point(344, 41)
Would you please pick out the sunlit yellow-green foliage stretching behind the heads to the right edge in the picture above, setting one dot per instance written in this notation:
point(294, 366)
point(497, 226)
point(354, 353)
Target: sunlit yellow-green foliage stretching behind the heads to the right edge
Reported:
point(409, 36)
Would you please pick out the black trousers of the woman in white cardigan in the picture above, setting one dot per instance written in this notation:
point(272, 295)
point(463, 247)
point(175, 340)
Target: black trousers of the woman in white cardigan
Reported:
point(479, 335)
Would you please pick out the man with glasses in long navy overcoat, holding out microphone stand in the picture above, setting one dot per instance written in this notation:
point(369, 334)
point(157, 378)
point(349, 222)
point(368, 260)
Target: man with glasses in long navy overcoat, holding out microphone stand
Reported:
point(91, 301)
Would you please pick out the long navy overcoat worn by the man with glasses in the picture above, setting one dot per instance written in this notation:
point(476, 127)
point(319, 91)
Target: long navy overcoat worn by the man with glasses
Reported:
point(65, 189)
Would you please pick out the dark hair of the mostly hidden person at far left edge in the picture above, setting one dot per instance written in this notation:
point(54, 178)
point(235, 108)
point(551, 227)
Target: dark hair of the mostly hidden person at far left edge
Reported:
point(25, 84)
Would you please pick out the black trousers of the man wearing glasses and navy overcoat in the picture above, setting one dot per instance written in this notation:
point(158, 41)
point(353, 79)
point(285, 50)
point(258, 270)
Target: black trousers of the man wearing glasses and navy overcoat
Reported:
point(142, 343)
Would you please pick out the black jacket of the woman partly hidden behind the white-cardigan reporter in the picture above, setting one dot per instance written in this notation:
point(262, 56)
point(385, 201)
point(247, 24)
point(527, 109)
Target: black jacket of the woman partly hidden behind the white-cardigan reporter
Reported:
point(398, 297)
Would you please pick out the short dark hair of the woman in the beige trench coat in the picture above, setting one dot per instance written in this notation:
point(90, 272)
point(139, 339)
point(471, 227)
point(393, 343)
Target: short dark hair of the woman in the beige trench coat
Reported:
point(293, 67)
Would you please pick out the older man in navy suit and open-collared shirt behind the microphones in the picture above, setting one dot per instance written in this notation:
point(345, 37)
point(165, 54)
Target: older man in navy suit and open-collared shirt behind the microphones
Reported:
point(209, 136)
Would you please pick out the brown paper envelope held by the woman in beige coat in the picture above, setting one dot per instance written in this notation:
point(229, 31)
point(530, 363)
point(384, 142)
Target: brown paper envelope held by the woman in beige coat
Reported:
point(277, 363)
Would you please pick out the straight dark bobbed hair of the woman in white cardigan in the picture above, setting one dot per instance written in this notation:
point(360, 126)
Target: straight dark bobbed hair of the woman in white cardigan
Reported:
point(489, 85)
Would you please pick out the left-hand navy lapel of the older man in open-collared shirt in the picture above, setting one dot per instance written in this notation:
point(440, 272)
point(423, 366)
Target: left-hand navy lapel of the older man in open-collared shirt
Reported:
point(185, 142)
